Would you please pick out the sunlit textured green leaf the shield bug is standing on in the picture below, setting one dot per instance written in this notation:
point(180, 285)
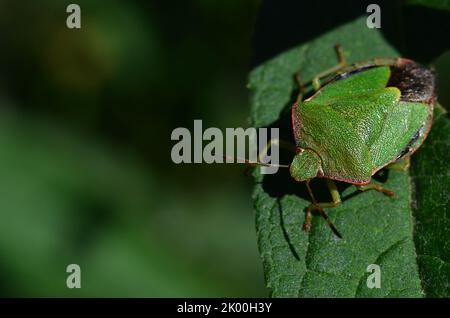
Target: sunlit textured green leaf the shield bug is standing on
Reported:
point(376, 229)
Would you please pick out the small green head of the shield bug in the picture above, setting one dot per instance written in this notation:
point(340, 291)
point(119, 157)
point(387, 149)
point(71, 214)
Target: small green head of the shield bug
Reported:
point(305, 165)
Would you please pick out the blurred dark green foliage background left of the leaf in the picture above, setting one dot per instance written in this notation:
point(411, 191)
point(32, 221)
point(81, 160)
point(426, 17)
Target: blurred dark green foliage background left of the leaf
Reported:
point(86, 175)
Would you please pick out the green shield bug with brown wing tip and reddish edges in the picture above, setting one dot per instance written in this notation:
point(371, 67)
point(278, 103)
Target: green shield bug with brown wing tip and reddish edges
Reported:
point(368, 116)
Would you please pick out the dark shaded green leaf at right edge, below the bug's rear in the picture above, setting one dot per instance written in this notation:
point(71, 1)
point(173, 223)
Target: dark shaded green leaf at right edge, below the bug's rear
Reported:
point(432, 180)
